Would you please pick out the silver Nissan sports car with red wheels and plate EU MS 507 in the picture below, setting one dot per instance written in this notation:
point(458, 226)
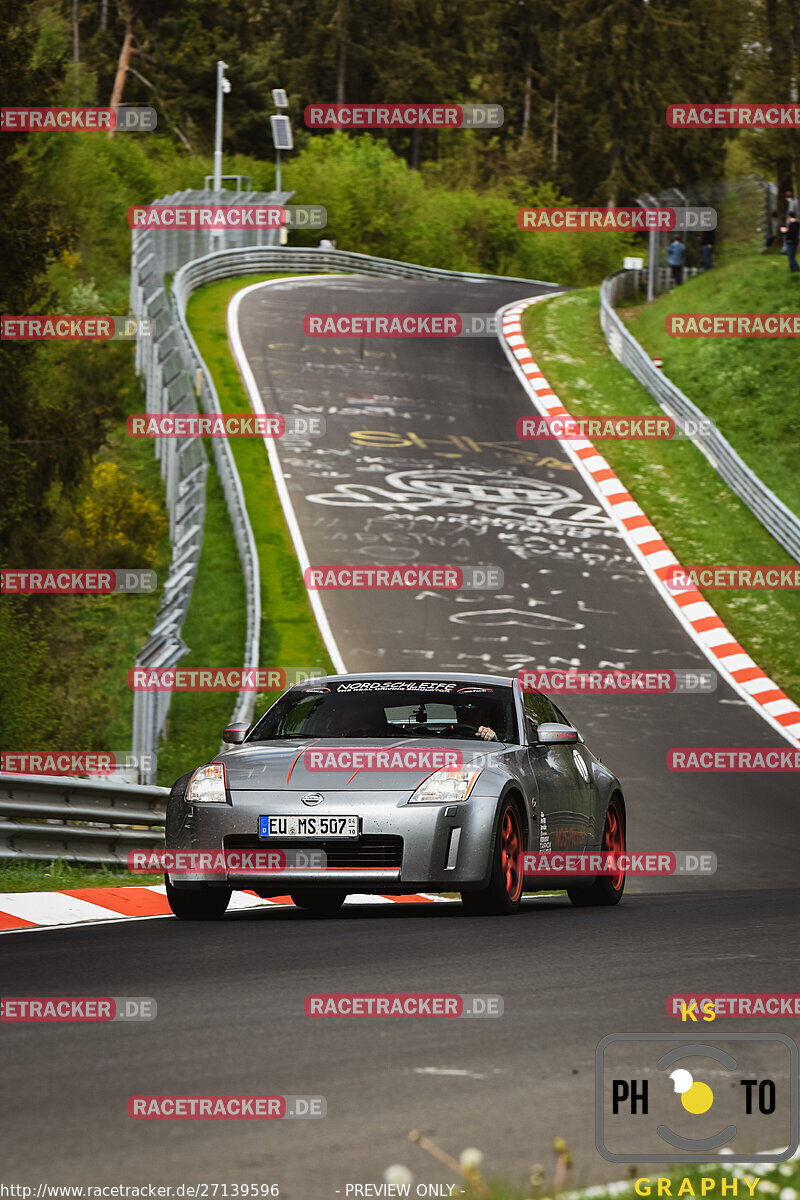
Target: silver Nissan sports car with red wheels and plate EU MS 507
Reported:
point(405, 783)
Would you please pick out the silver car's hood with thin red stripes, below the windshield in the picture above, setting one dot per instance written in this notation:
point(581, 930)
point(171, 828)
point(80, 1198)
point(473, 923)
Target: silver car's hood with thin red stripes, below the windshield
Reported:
point(285, 766)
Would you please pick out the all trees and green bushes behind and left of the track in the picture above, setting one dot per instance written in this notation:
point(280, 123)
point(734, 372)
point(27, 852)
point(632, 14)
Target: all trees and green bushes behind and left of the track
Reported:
point(584, 85)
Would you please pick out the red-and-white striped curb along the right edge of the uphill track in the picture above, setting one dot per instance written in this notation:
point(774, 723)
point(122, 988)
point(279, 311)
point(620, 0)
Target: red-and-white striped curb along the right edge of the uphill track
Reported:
point(695, 614)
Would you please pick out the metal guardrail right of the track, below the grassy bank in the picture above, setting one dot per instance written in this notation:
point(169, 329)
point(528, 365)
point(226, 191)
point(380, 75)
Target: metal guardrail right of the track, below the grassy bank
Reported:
point(780, 521)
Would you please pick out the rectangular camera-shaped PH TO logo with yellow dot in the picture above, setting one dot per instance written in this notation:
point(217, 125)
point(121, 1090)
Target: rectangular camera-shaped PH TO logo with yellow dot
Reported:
point(663, 1099)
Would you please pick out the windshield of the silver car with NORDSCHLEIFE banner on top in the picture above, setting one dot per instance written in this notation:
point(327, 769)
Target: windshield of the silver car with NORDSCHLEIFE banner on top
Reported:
point(387, 709)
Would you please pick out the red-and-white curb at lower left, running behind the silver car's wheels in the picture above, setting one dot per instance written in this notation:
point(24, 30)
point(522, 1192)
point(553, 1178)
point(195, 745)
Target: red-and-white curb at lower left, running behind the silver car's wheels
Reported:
point(81, 907)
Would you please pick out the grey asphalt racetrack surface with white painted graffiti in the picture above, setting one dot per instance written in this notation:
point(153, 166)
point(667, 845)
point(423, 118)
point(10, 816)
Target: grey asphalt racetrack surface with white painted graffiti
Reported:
point(231, 994)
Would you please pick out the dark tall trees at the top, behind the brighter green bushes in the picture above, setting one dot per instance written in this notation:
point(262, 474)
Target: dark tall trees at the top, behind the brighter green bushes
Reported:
point(585, 85)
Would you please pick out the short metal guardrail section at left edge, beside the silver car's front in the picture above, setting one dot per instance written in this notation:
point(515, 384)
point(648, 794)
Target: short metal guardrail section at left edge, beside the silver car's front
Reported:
point(80, 821)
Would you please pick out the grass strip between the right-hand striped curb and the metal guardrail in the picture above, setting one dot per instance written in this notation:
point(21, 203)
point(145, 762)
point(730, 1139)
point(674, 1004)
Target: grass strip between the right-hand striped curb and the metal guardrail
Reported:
point(699, 517)
